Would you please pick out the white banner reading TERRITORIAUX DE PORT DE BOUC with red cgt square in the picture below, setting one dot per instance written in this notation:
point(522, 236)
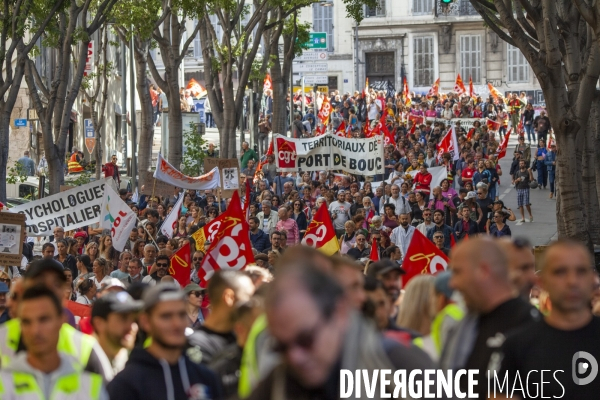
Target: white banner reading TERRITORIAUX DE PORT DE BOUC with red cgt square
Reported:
point(330, 153)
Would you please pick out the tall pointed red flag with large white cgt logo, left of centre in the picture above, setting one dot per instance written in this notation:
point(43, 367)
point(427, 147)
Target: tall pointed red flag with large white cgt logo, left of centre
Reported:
point(231, 248)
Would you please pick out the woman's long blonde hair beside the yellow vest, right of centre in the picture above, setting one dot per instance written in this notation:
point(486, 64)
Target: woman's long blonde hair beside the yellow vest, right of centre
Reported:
point(418, 305)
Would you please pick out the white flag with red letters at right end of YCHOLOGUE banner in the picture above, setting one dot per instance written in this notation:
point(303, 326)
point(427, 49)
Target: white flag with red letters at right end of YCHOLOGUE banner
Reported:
point(117, 217)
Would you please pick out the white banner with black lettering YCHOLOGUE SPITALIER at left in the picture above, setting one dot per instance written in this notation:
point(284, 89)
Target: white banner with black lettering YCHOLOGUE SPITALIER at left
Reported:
point(70, 210)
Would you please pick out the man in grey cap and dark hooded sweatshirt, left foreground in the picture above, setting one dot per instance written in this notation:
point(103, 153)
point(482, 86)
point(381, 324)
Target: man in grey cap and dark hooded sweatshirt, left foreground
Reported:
point(163, 371)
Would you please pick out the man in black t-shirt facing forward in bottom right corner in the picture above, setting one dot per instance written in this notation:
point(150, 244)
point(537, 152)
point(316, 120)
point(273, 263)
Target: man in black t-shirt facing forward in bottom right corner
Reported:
point(564, 345)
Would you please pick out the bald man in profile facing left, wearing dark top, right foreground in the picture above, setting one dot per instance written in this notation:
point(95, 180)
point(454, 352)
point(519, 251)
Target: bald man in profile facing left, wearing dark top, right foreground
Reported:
point(480, 274)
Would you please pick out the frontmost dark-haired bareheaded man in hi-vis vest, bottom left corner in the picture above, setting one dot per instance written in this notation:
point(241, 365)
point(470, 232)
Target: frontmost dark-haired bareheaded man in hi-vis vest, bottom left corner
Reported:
point(44, 371)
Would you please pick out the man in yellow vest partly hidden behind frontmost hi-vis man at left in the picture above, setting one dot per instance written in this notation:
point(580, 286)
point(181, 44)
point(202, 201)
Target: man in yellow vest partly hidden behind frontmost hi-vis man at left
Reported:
point(83, 348)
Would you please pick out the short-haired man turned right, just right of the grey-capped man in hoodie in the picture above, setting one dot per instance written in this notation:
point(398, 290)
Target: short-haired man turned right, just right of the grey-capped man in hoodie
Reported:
point(226, 289)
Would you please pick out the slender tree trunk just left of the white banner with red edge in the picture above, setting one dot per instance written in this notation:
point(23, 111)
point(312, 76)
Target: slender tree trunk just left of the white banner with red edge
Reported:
point(146, 137)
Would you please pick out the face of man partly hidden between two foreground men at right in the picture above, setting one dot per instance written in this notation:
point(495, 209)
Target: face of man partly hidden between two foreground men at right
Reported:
point(521, 265)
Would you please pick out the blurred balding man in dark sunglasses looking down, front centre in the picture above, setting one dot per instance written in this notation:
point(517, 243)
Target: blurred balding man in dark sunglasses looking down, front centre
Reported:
point(317, 332)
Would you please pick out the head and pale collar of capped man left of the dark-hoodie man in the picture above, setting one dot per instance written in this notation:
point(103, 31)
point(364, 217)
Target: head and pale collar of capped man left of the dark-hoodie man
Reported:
point(113, 321)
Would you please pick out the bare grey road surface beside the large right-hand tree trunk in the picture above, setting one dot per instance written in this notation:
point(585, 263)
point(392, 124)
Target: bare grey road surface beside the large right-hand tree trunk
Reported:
point(543, 228)
